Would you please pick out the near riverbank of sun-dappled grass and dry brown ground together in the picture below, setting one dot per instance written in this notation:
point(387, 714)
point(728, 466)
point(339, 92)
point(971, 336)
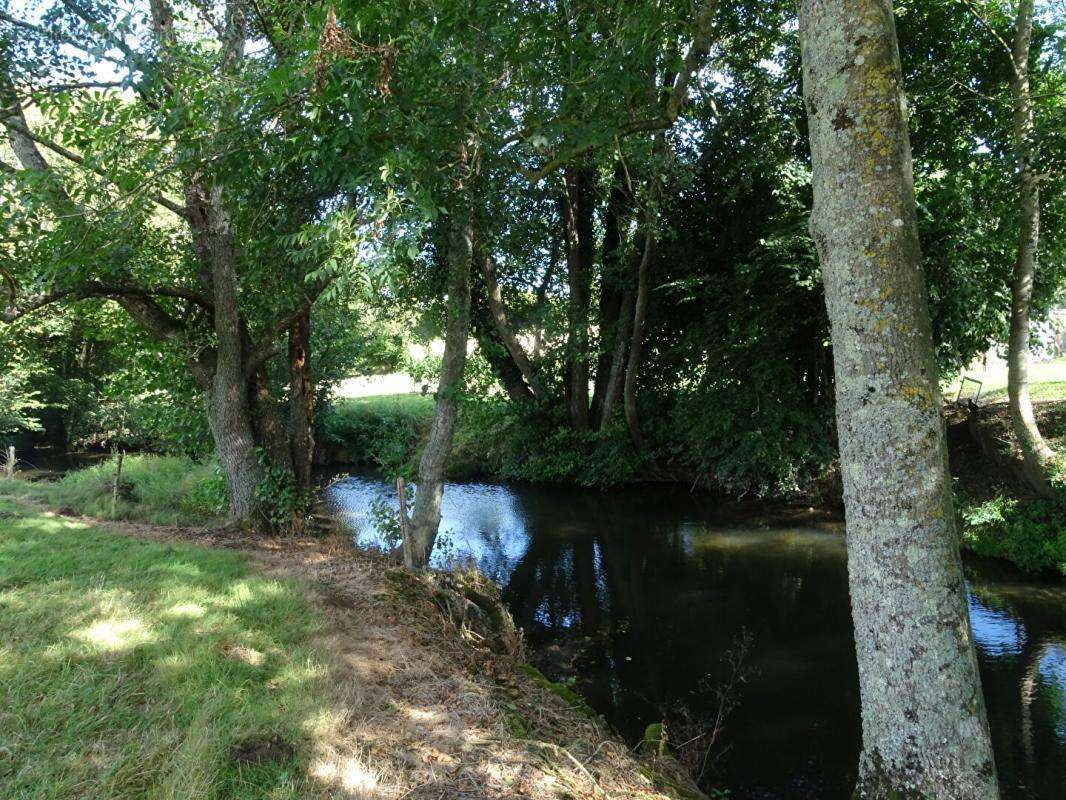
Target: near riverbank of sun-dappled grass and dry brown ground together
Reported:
point(185, 663)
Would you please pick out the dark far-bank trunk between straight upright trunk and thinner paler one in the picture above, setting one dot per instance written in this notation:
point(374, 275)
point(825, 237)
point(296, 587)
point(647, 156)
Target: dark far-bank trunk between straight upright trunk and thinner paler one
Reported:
point(612, 291)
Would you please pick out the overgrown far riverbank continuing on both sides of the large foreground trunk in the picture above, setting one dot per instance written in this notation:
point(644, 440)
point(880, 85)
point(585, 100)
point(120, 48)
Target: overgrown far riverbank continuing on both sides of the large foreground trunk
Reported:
point(998, 517)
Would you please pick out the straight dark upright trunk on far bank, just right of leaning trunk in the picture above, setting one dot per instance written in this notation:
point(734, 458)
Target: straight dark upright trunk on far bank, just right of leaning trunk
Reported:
point(578, 222)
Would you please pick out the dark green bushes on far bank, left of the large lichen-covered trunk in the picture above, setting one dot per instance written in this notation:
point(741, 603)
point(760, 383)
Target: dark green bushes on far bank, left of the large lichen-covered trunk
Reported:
point(774, 452)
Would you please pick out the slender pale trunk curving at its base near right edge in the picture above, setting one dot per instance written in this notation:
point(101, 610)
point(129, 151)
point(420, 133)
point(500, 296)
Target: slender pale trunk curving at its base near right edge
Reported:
point(1036, 453)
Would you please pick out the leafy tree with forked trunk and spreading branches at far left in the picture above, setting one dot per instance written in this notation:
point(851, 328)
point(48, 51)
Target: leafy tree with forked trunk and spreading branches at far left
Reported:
point(174, 134)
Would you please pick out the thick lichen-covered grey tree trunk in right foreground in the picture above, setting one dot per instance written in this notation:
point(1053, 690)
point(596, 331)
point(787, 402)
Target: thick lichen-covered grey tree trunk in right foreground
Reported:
point(925, 732)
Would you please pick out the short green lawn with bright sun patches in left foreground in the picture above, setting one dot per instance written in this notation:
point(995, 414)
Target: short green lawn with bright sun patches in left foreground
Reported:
point(132, 669)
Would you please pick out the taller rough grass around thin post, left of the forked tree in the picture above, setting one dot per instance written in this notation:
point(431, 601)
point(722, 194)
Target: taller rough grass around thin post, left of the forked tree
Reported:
point(165, 490)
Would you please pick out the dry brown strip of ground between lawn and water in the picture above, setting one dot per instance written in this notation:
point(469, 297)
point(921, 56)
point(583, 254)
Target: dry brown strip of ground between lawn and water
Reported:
point(424, 710)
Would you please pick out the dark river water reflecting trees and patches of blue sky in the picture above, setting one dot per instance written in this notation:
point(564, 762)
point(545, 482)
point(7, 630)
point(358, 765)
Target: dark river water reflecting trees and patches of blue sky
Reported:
point(643, 594)
